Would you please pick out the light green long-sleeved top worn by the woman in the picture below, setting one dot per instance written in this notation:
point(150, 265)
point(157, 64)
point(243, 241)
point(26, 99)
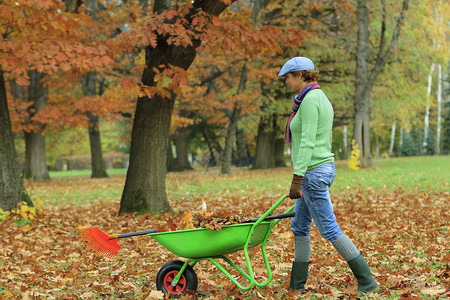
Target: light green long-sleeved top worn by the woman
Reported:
point(311, 130)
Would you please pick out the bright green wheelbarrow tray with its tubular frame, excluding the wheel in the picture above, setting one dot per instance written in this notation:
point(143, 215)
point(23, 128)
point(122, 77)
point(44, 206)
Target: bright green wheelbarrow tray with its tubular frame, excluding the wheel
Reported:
point(203, 244)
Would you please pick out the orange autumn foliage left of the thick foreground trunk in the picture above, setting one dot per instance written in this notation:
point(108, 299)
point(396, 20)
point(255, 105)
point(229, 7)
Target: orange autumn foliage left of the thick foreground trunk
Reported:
point(44, 36)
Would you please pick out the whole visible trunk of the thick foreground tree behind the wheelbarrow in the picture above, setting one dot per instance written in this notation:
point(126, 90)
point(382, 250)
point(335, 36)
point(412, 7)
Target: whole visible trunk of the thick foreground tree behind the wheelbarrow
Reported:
point(145, 189)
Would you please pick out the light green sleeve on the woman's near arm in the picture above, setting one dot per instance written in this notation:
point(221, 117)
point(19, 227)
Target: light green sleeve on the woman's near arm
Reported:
point(309, 114)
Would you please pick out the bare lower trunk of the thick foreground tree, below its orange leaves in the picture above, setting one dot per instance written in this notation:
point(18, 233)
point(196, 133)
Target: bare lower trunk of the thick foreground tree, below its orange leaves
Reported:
point(145, 189)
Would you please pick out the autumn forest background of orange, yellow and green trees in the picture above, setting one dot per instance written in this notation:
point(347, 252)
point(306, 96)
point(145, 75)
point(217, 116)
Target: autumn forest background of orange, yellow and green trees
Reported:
point(408, 115)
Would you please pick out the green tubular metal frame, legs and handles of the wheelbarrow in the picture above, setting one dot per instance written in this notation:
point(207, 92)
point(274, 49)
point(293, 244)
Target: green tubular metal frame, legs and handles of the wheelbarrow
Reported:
point(250, 275)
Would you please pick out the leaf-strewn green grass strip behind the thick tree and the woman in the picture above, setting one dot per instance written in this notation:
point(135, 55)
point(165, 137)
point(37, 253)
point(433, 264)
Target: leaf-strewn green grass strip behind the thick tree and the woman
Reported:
point(426, 173)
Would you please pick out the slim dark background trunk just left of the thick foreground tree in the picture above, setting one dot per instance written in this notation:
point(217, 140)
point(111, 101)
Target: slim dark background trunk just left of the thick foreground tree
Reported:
point(89, 83)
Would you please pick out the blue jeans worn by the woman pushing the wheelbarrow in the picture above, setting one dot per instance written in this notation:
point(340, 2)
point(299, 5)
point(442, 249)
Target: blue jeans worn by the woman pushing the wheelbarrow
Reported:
point(315, 204)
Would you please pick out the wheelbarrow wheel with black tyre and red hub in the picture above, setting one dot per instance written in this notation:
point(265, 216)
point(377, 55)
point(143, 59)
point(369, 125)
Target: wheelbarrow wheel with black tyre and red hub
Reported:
point(167, 273)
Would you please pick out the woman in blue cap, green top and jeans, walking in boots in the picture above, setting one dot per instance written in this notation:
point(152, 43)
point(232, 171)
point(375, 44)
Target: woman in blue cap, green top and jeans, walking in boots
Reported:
point(309, 130)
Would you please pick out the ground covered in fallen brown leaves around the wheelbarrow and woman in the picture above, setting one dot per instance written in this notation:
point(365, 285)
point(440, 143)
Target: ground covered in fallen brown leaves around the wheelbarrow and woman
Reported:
point(403, 233)
